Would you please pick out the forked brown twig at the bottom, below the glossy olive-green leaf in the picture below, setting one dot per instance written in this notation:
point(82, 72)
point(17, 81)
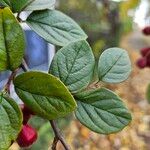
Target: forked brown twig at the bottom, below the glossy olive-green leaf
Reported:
point(58, 136)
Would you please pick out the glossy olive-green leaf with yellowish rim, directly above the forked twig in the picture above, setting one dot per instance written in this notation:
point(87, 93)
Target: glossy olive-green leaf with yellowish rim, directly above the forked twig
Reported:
point(44, 94)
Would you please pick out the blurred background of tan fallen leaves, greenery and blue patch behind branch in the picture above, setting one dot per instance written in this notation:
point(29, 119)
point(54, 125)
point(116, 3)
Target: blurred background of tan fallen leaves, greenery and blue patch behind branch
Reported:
point(108, 23)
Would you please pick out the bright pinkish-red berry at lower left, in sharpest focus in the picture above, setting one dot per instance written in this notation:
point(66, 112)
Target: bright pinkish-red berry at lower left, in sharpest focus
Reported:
point(27, 136)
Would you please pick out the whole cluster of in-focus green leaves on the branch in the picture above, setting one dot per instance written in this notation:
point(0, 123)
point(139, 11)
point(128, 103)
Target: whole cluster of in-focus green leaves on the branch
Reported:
point(62, 90)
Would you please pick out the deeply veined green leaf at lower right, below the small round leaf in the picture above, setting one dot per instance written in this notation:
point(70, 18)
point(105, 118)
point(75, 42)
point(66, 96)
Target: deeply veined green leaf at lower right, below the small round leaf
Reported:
point(102, 111)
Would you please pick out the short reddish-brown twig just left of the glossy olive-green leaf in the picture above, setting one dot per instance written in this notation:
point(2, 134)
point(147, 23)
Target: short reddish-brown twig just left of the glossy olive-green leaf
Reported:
point(10, 79)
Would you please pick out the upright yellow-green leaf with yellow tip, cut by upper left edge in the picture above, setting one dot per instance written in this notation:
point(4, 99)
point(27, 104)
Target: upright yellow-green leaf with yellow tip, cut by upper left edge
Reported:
point(12, 42)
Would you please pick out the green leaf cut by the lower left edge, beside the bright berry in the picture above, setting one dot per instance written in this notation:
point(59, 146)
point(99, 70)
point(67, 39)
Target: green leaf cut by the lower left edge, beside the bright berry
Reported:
point(10, 121)
